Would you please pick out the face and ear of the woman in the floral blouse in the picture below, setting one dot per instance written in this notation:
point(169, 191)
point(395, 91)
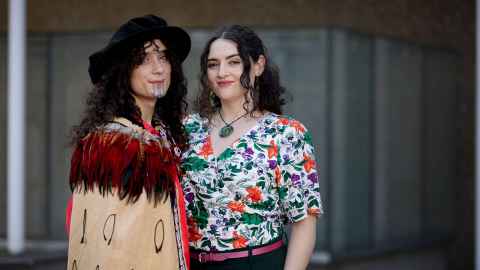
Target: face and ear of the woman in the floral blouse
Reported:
point(225, 68)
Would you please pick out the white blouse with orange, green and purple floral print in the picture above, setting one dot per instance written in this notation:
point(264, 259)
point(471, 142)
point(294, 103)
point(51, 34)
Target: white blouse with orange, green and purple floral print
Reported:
point(245, 195)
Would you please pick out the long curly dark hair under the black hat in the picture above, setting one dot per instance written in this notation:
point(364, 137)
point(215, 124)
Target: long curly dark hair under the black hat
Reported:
point(112, 96)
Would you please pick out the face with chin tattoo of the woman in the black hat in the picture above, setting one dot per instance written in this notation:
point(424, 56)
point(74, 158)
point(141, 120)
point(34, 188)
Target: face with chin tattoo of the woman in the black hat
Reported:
point(151, 79)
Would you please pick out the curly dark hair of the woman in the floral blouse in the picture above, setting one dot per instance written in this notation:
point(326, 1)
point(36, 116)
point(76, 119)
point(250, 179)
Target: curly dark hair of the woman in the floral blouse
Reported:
point(267, 92)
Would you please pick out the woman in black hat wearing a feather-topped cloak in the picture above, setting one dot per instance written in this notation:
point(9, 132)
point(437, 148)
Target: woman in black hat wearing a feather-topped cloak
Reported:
point(128, 210)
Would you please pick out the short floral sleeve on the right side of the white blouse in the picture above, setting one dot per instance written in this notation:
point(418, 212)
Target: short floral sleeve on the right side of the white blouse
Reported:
point(298, 189)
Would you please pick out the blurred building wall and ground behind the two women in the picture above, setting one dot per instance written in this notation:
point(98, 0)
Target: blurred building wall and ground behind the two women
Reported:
point(386, 87)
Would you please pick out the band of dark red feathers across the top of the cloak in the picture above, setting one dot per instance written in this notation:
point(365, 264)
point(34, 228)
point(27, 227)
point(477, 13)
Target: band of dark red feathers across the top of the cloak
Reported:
point(114, 159)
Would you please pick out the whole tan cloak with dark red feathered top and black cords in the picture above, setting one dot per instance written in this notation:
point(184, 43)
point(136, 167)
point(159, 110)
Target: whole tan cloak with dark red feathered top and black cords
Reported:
point(128, 207)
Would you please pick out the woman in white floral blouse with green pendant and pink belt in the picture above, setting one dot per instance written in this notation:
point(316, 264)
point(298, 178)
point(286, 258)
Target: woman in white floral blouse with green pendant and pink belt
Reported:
point(249, 170)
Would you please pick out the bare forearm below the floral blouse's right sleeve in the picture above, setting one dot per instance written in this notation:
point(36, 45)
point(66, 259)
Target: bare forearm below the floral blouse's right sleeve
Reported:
point(301, 244)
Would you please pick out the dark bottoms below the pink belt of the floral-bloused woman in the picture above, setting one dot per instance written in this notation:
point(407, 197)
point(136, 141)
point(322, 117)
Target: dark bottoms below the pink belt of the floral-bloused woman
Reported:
point(273, 260)
